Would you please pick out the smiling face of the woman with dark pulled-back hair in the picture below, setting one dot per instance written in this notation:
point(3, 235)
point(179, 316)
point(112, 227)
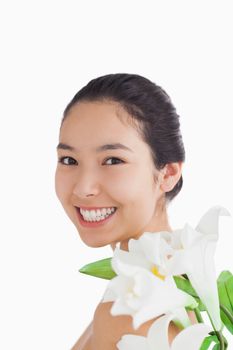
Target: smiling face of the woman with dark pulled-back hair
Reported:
point(121, 178)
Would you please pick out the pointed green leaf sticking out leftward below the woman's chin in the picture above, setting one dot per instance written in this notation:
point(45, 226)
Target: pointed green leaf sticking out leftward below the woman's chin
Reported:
point(101, 269)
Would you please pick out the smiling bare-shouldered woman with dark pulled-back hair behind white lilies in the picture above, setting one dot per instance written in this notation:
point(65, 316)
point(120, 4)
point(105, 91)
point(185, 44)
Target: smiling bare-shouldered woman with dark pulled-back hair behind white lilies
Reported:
point(120, 157)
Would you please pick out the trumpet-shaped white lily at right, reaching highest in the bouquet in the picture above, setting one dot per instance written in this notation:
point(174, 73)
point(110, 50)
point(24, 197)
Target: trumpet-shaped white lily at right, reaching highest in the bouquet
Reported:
point(193, 254)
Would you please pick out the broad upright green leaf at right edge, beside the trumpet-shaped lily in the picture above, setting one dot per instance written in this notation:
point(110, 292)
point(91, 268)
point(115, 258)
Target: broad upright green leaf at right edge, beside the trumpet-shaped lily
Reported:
point(225, 292)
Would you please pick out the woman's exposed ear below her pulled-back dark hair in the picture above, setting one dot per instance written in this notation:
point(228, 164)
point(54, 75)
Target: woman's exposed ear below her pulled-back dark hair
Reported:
point(171, 174)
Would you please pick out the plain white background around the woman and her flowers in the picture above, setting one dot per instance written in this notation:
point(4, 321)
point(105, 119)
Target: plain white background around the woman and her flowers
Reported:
point(49, 50)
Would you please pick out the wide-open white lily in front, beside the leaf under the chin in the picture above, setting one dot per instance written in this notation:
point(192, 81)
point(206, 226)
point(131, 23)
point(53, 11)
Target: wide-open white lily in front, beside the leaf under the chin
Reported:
point(139, 292)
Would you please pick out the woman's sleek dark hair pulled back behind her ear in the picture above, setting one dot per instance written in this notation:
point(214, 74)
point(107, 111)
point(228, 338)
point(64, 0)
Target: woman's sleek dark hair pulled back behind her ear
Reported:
point(151, 106)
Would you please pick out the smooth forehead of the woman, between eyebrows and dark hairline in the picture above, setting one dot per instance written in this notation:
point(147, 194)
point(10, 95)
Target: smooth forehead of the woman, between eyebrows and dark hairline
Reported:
point(84, 132)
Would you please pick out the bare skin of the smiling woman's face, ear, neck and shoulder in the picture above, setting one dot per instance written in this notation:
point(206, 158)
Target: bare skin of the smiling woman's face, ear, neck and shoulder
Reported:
point(86, 178)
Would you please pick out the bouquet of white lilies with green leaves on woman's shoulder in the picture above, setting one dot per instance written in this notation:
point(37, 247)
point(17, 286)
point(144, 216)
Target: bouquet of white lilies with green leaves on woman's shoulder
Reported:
point(170, 274)
